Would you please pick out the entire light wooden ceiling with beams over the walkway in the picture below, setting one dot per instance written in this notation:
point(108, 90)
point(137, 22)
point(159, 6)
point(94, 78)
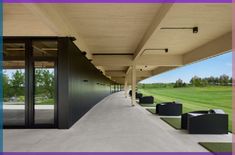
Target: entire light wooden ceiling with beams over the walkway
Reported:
point(115, 36)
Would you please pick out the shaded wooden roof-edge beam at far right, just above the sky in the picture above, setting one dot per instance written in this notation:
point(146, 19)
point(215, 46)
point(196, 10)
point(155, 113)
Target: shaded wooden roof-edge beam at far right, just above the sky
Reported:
point(215, 47)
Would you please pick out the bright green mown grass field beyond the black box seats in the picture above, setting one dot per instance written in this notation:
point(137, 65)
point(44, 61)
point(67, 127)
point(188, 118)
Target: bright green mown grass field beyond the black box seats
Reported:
point(195, 98)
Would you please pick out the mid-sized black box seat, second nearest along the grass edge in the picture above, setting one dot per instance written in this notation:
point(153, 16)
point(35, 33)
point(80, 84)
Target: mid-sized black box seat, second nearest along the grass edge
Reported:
point(169, 109)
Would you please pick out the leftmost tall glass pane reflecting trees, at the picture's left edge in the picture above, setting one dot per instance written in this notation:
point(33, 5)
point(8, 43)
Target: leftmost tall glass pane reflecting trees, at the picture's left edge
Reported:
point(13, 84)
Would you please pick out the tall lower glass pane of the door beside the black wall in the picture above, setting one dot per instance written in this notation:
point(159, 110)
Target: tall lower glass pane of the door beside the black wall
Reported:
point(44, 105)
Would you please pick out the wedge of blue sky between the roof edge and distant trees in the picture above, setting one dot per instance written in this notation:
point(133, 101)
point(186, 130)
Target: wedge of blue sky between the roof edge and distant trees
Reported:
point(215, 66)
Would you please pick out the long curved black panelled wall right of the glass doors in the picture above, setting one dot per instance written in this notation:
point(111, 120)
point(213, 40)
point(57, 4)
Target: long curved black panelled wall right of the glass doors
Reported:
point(80, 84)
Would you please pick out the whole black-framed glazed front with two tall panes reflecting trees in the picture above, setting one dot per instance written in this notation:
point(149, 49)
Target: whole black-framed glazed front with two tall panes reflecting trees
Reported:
point(29, 83)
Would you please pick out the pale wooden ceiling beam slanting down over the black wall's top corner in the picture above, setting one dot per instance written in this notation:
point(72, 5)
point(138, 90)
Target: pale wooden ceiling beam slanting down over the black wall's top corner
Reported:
point(58, 22)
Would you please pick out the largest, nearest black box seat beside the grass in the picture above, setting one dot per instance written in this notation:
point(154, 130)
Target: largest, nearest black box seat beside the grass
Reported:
point(205, 122)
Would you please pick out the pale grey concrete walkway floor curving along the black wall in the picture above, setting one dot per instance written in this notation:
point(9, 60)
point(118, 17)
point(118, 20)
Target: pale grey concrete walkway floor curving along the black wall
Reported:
point(112, 125)
